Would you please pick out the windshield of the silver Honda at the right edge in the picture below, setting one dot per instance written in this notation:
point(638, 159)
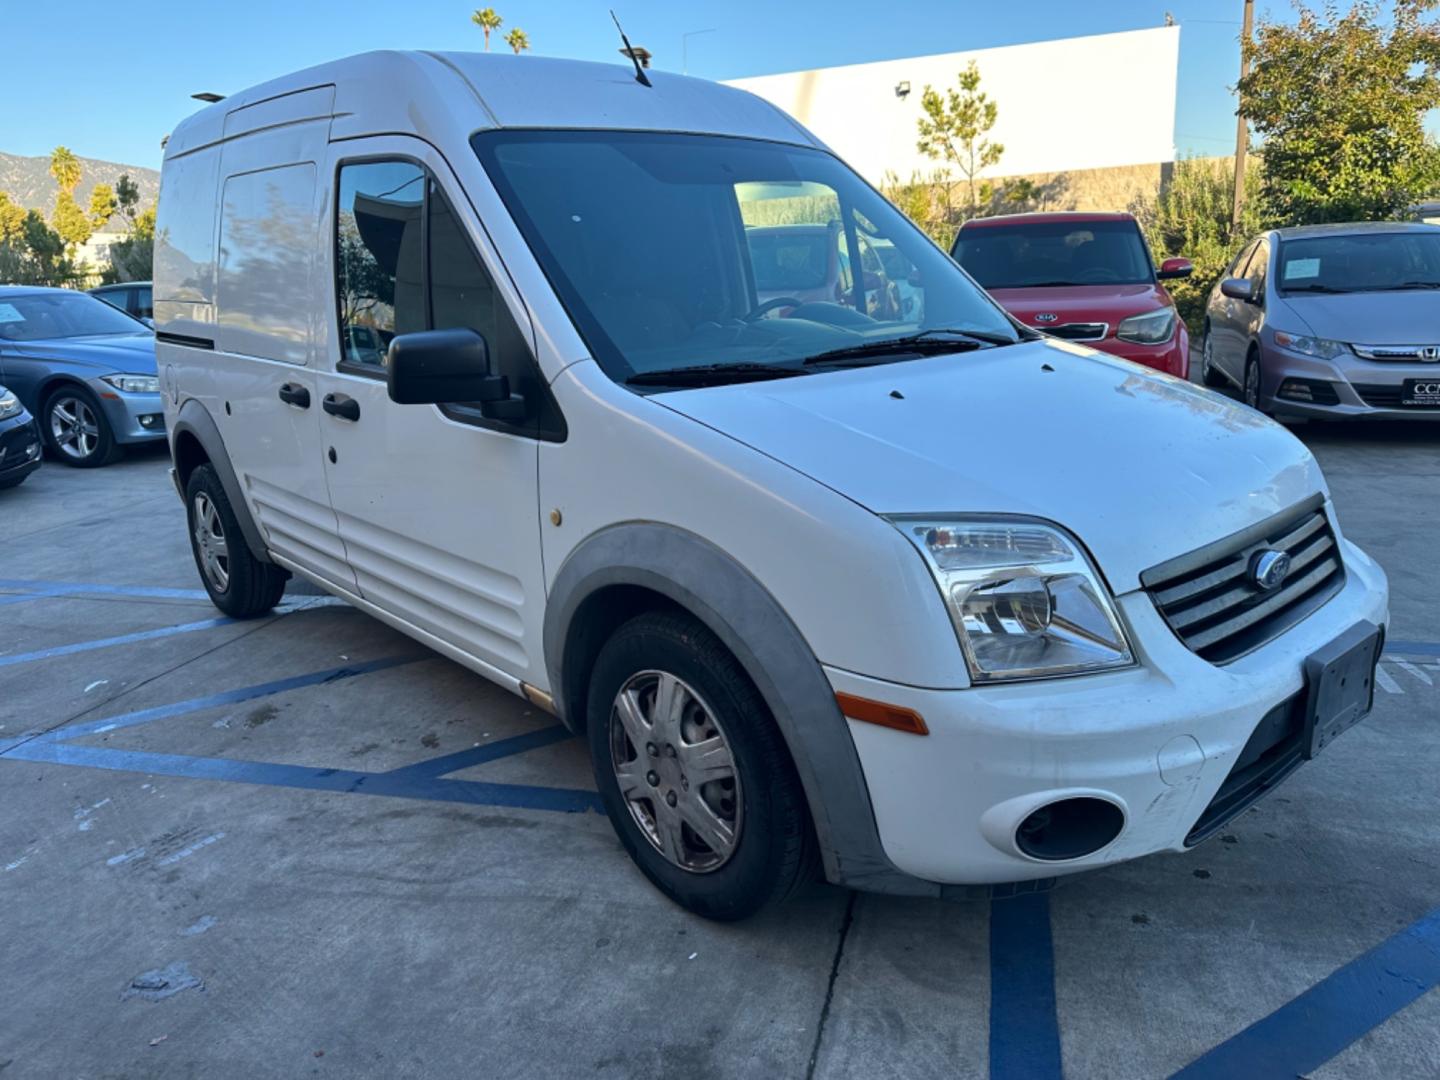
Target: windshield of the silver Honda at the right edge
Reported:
point(1362, 263)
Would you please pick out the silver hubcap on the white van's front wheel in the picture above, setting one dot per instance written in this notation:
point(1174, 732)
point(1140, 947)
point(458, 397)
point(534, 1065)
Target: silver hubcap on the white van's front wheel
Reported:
point(676, 771)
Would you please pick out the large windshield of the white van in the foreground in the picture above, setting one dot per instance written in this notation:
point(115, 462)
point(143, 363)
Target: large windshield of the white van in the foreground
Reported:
point(695, 251)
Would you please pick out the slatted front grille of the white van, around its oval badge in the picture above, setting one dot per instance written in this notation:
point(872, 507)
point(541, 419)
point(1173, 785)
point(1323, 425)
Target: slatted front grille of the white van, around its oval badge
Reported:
point(1215, 607)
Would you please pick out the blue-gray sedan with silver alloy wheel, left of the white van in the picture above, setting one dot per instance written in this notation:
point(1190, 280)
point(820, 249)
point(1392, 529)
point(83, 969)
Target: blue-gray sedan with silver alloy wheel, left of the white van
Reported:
point(86, 369)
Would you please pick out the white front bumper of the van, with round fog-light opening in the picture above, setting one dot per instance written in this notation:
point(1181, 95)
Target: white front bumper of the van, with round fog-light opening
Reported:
point(1157, 741)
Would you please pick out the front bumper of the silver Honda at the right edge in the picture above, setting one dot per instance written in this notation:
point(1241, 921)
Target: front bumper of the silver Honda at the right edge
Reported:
point(1364, 390)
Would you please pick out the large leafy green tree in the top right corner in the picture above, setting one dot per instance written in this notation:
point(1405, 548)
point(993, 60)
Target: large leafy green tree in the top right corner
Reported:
point(1340, 102)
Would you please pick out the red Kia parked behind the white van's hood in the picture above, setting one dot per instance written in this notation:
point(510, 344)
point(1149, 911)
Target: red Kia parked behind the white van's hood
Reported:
point(1084, 277)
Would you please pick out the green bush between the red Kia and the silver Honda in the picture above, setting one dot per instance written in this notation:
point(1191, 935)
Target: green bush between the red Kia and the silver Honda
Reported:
point(1190, 218)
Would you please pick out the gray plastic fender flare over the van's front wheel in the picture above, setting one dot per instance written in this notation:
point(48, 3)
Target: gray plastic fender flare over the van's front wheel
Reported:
point(726, 598)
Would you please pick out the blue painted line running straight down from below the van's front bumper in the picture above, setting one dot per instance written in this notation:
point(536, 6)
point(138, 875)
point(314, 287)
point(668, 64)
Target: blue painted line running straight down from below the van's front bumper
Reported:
point(1025, 1032)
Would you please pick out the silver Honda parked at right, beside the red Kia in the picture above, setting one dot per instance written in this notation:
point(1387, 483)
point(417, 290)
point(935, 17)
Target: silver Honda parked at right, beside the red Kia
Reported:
point(1331, 322)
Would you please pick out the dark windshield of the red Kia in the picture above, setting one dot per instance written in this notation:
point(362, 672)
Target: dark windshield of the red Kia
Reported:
point(1055, 254)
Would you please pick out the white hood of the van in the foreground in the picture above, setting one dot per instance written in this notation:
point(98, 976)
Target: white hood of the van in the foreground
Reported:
point(1140, 466)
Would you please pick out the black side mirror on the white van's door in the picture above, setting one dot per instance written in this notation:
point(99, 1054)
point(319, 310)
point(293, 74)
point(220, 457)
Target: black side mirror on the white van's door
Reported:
point(450, 366)
